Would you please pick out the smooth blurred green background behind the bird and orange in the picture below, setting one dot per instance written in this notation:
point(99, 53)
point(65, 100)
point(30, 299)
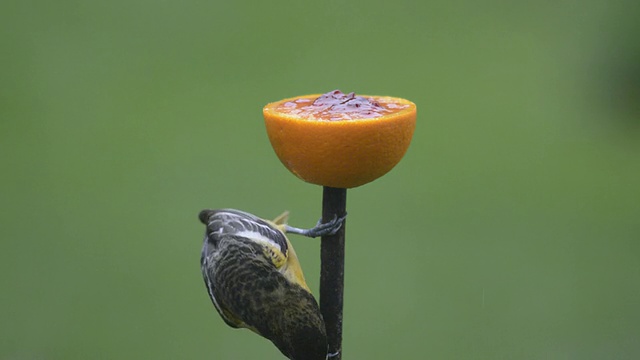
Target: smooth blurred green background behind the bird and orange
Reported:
point(510, 230)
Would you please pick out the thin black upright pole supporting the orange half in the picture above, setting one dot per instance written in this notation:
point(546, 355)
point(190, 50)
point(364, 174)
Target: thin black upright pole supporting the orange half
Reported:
point(334, 203)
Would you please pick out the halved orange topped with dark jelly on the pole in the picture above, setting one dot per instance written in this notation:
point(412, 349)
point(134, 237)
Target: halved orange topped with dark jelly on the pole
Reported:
point(328, 142)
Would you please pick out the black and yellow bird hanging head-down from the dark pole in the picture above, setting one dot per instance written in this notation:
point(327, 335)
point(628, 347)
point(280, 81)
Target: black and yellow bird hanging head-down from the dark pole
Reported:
point(255, 281)
